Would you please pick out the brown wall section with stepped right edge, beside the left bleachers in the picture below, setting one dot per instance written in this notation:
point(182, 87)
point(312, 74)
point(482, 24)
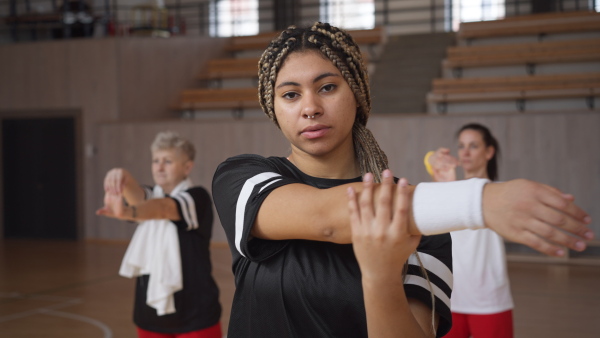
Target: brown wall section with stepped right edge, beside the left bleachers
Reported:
point(154, 71)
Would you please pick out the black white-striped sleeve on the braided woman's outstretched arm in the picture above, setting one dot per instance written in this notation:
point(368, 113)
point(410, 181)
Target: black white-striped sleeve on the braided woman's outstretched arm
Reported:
point(240, 185)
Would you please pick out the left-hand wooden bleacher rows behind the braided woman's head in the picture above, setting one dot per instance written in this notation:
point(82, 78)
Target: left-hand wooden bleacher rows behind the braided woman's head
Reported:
point(237, 100)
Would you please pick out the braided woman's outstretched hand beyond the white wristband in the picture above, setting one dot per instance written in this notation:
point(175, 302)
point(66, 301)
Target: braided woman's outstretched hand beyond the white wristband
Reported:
point(537, 215)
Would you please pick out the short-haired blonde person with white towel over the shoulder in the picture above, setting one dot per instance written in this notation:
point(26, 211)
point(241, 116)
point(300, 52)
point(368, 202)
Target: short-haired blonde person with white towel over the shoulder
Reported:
point(175, 296)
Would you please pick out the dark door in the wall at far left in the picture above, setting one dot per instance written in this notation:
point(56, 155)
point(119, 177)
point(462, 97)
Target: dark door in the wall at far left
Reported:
point(39, 178)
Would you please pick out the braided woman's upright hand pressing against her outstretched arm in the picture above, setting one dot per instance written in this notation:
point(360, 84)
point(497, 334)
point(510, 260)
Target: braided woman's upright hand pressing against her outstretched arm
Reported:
point(380, 234)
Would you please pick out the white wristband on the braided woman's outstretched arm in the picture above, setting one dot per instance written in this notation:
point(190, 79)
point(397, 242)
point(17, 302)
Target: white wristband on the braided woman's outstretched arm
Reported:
point(442, 207)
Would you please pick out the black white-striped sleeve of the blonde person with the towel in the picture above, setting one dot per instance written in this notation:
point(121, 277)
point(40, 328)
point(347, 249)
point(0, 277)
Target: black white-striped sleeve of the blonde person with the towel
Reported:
point(195, 209)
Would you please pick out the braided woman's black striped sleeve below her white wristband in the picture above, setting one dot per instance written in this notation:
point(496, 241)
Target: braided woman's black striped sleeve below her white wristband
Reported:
point(435, 256)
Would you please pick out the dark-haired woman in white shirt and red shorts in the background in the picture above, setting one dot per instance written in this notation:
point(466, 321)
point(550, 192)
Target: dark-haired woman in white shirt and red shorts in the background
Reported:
point(481, 299)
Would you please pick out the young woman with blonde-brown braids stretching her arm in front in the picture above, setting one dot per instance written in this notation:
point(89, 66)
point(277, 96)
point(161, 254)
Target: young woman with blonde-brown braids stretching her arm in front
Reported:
point(291, 221)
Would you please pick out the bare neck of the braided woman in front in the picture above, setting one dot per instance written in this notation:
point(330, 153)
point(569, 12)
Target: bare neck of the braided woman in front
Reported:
point(337, 165)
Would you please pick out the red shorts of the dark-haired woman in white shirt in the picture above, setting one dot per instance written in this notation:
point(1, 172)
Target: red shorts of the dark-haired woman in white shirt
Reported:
point(495, 325)
